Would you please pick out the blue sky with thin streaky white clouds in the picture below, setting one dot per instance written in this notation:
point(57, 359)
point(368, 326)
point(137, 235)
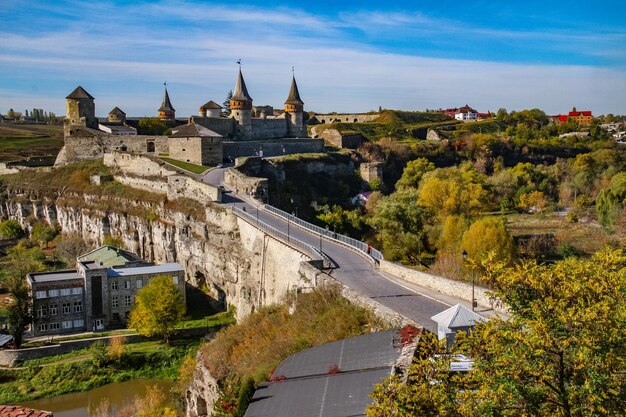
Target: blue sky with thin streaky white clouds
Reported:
point(347, 56)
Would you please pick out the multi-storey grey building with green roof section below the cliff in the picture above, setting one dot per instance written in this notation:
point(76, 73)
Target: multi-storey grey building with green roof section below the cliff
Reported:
point(98, 295)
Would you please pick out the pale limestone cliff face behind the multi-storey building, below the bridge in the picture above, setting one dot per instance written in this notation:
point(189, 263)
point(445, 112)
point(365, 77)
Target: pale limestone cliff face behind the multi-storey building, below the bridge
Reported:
point(241, 265)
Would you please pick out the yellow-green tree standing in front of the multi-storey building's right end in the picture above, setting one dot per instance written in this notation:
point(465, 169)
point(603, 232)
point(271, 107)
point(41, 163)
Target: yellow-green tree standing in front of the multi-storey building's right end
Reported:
point(159, 306)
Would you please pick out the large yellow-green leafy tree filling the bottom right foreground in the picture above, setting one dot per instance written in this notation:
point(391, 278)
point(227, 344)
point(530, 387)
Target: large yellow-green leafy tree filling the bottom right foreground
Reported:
point(560, 354)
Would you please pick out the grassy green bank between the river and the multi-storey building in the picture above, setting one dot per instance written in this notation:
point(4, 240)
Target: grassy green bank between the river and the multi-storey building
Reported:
point(94, 367)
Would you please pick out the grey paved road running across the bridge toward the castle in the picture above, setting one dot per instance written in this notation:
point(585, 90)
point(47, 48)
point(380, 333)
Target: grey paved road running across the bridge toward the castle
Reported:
point(352, 269)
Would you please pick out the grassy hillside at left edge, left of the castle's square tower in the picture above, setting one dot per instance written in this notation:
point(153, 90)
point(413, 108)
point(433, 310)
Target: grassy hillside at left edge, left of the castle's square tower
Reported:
point(20, 141)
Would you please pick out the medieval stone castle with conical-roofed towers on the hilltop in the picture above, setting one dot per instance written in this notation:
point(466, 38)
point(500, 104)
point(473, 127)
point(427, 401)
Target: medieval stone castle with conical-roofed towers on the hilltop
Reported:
point(206, 139)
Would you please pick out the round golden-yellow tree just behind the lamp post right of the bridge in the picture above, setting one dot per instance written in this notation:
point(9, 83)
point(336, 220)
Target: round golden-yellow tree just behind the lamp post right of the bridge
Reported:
point(486, 236)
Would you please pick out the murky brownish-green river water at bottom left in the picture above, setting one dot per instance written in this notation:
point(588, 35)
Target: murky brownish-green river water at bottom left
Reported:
point(85, 404)
